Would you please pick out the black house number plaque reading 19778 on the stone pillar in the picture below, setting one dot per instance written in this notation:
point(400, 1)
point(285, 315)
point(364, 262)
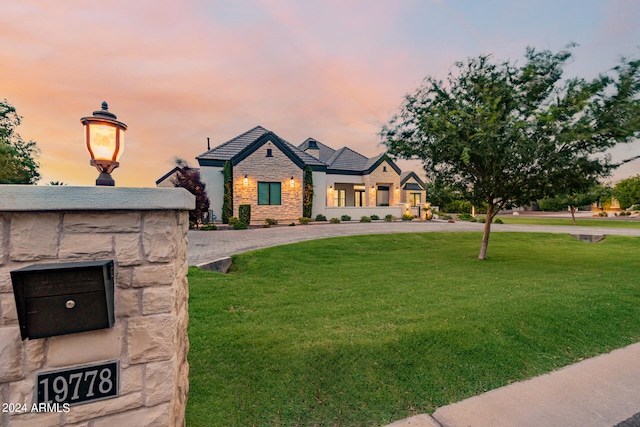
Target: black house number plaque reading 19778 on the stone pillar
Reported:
point(78, 385)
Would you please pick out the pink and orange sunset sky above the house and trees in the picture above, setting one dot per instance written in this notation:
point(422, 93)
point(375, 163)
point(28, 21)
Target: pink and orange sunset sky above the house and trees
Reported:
point(177, 72)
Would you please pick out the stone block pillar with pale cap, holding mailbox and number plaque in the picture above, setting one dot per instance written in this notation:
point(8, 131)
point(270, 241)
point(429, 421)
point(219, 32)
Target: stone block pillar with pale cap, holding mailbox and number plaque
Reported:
point(144, 232)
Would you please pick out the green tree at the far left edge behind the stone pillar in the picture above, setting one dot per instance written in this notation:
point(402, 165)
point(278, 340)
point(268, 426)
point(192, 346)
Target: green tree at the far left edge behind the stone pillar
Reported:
point(18, 159)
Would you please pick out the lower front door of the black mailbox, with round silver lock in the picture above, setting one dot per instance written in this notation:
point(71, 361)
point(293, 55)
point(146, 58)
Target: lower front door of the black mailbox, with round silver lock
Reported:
point(64, 314)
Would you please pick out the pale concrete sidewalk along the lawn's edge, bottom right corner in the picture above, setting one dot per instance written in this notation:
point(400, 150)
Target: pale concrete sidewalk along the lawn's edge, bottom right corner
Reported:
point(599, 392)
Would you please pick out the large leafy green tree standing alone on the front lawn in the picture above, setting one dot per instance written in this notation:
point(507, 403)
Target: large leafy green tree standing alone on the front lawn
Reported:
point(503, 134)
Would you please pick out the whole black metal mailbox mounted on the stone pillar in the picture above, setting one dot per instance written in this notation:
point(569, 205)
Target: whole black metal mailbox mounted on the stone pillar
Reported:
point(59, 299)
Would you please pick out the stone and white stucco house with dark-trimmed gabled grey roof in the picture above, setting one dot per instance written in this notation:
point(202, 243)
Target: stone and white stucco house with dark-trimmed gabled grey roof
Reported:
point(271, 174)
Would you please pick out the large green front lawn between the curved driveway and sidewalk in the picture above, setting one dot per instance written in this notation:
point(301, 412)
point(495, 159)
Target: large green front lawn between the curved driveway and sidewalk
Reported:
point(365, 330)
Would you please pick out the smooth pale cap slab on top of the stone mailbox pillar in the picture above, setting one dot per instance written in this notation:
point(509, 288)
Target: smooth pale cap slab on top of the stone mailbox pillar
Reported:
point(65, 198)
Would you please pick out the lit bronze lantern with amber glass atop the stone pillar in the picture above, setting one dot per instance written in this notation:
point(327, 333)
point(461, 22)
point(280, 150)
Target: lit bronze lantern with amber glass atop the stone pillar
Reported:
point(104, 136)
